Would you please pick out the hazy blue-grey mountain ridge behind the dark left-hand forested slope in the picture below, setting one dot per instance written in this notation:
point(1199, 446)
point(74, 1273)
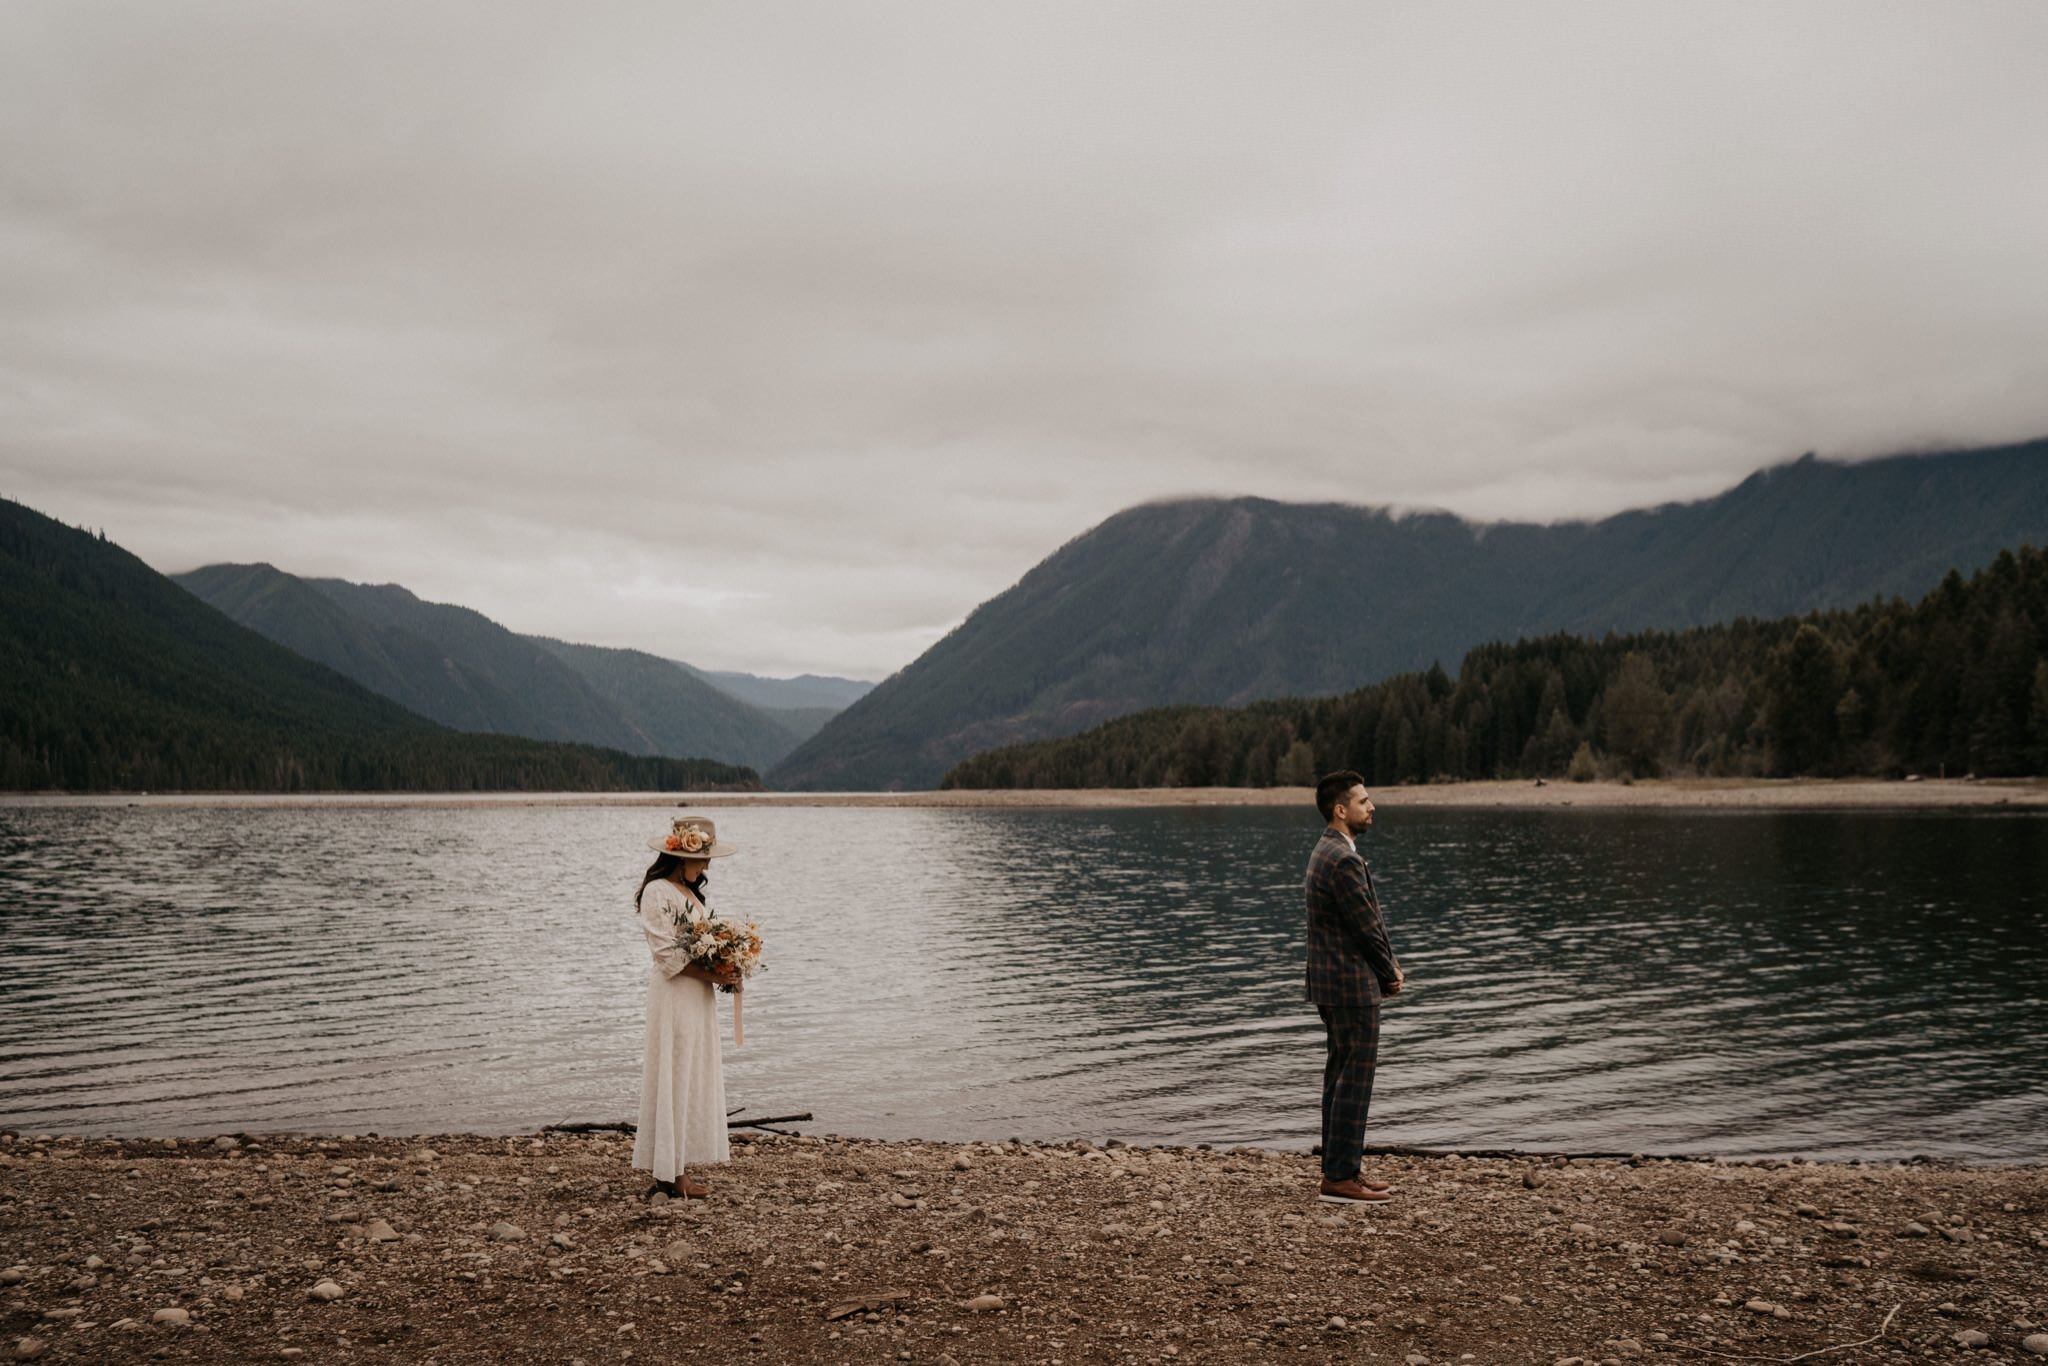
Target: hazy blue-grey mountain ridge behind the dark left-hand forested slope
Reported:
point(468, 673)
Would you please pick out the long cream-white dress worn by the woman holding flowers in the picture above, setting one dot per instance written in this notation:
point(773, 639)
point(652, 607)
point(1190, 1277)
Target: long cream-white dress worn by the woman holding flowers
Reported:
point(683, 1086)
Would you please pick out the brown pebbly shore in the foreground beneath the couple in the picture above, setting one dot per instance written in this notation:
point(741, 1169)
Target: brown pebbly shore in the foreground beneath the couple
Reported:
point(470, 1250)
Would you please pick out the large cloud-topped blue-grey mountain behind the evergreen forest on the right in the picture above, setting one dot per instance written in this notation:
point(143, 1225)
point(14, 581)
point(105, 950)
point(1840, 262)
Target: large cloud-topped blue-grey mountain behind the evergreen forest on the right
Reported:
point(1232, 601)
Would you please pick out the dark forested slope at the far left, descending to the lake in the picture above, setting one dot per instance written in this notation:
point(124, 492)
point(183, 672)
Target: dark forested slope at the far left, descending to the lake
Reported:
point(116, 679)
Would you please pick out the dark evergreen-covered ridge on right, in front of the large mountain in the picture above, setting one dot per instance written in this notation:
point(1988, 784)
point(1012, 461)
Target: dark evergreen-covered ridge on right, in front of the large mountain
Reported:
point(1953, 683)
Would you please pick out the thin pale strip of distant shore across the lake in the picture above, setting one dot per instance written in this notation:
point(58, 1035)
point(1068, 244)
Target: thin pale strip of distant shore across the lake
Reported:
point(1500, 796)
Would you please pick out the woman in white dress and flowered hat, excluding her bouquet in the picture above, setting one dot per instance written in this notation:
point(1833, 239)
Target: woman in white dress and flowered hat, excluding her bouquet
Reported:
point(683, 1086)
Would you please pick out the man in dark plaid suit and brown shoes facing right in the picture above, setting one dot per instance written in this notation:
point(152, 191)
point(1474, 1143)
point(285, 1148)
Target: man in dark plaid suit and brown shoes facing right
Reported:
point(1351, 970)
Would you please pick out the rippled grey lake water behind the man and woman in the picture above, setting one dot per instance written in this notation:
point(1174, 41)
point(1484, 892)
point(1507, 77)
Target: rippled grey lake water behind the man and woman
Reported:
point(1740, 984)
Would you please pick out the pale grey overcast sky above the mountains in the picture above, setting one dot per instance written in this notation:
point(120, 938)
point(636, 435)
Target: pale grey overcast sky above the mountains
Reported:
point(777, 337)
